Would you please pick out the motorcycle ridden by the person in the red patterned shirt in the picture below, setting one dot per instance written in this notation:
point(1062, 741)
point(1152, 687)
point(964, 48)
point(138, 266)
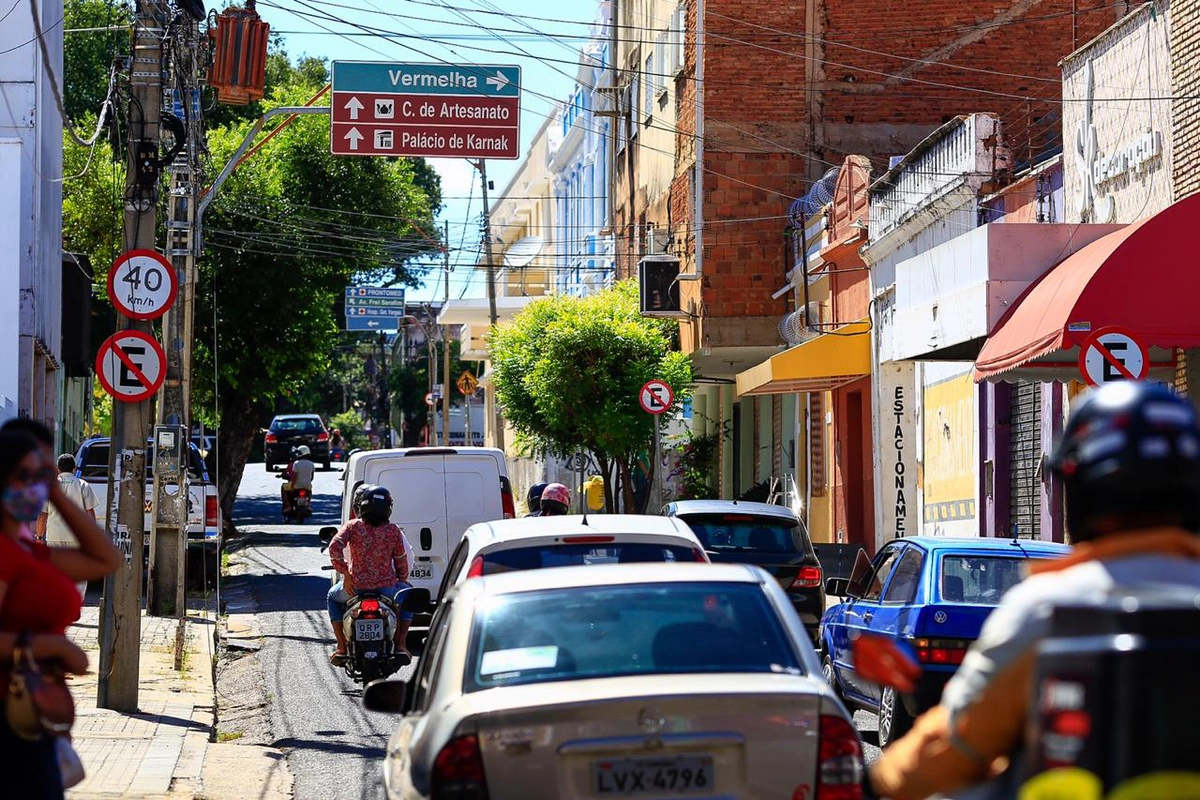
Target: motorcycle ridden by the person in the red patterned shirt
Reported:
point(370, 627)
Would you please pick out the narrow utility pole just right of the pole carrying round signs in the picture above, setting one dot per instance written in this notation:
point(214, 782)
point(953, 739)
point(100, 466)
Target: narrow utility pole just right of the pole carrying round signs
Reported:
point(169, 546)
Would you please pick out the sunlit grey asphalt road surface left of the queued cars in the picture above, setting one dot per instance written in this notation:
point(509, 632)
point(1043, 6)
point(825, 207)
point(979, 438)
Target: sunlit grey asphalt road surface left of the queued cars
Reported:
point(334, 747)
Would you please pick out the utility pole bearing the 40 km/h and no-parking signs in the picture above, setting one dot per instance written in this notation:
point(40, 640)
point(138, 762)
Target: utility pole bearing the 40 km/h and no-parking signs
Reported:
point(121, 635)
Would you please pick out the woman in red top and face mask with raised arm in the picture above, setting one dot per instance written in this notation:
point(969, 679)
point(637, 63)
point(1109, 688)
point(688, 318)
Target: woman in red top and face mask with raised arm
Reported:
point(39, 599)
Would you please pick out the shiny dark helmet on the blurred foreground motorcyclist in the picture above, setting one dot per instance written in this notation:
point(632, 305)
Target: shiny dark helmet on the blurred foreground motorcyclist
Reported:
point(1130, 459)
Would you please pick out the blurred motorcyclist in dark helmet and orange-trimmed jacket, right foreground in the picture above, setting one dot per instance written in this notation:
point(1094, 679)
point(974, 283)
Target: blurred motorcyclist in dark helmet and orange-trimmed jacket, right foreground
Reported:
point(1130, 461)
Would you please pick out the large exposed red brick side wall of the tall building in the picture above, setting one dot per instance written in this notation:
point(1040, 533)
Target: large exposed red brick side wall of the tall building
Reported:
point(783, 106)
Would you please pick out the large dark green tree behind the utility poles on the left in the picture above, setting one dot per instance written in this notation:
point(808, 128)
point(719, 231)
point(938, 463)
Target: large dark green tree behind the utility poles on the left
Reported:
point(291, 230)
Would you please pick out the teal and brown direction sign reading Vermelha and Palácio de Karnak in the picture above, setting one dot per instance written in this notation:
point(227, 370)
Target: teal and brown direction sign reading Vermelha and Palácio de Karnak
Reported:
point(440, 111)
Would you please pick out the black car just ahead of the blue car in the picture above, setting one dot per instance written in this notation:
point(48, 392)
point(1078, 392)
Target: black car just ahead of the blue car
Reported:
point(765, 536)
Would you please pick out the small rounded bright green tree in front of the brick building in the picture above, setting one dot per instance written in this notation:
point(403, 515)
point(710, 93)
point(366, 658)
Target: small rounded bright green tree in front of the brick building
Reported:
point(568, 374)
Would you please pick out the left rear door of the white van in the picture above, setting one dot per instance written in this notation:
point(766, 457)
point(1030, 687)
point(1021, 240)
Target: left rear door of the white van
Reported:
point(419, 508)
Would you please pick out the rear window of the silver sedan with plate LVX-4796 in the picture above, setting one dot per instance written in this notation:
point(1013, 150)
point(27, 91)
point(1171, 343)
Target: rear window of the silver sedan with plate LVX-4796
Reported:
point(579, 634)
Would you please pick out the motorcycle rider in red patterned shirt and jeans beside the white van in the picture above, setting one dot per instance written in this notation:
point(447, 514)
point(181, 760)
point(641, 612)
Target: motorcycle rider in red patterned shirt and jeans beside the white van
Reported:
point(370, 554)
